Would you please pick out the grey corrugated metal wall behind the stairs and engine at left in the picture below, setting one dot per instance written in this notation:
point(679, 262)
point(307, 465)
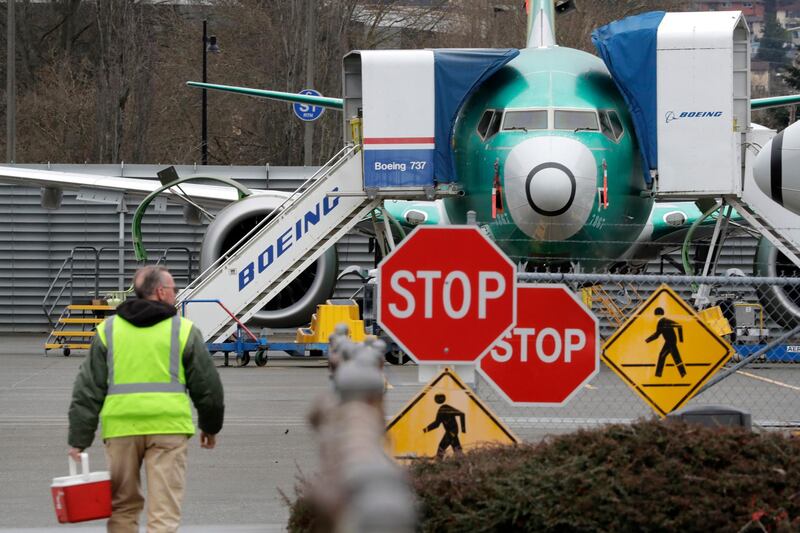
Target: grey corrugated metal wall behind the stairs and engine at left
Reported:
point(34, 242)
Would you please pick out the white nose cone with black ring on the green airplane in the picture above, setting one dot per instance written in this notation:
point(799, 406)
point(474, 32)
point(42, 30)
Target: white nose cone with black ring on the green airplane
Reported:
point(551, 186)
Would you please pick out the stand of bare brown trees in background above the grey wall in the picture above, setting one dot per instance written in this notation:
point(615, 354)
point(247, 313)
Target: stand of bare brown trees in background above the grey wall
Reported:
point(104, 81)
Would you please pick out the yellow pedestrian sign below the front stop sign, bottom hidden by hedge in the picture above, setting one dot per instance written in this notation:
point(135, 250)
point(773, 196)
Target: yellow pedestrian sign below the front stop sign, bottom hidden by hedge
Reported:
point(445, 417)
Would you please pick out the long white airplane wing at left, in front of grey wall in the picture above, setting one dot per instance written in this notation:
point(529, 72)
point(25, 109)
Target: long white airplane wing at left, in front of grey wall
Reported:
point(205, 195)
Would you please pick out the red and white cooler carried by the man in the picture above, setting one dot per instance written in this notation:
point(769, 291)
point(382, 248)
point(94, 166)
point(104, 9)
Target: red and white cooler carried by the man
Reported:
point(81, 497)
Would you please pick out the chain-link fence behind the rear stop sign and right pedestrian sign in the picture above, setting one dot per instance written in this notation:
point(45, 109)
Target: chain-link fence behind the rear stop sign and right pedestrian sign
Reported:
point(761, 378)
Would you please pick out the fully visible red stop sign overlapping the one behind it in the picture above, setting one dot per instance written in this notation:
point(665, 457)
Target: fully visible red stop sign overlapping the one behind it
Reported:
point(446, 294)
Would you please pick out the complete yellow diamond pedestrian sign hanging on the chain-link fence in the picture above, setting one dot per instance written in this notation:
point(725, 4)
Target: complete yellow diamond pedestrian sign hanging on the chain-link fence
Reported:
point(665, 352)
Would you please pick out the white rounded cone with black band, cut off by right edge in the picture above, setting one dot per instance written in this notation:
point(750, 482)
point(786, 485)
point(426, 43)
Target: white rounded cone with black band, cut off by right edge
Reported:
point(777, 168)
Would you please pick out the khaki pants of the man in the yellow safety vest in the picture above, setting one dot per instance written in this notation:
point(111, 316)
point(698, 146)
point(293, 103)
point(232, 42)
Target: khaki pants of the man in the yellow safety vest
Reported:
point(164, 458)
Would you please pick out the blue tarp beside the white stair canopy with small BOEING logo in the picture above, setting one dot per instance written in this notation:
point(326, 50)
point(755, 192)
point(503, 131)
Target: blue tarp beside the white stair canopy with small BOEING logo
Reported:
point(628, 47)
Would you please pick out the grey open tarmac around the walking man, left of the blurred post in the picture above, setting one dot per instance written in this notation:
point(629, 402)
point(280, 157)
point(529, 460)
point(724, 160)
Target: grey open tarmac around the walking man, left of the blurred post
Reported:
point(265, 441)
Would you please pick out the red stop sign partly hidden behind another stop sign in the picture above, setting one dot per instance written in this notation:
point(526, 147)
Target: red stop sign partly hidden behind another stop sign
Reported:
point(550, 353)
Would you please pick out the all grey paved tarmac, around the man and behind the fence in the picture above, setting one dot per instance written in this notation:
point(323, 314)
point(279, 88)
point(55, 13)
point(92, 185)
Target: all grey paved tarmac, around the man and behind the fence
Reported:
point(266, 443)
